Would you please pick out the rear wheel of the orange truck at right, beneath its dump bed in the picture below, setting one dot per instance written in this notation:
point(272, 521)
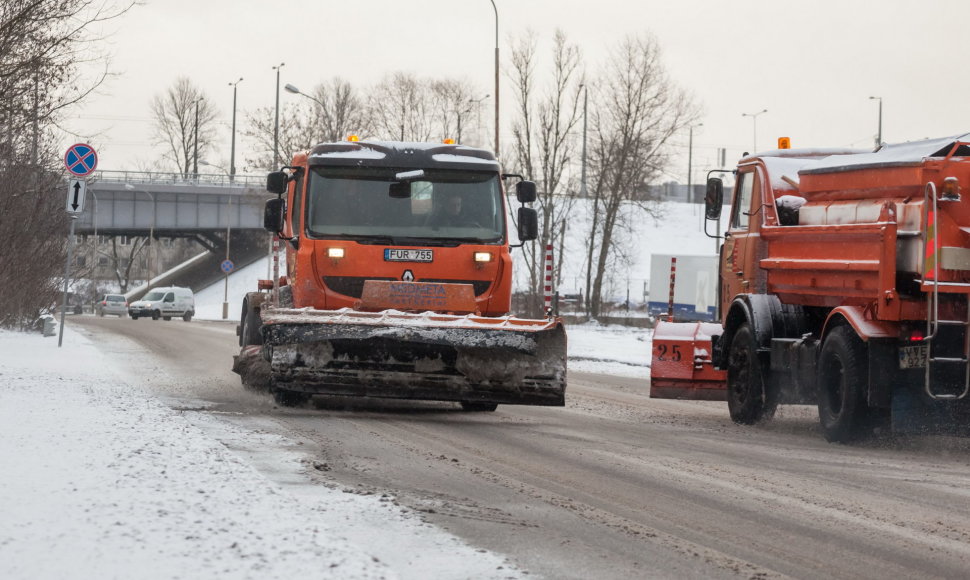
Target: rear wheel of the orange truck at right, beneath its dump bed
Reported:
point(843, 373)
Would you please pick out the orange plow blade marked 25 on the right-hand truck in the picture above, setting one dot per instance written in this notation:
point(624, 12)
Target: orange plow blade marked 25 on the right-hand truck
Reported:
point(681, 365)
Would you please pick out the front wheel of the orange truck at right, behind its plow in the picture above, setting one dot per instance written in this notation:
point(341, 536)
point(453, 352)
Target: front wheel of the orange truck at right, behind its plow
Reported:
point(748, 401)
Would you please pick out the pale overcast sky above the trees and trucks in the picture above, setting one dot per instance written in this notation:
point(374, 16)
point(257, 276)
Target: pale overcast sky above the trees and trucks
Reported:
point(812, 65)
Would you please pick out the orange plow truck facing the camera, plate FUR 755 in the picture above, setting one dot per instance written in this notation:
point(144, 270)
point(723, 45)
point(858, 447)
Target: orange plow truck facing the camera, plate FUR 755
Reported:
point(398, 282)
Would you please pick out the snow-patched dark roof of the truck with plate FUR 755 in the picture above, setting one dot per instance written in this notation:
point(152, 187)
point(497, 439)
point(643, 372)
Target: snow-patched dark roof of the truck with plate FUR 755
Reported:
point(402, 154)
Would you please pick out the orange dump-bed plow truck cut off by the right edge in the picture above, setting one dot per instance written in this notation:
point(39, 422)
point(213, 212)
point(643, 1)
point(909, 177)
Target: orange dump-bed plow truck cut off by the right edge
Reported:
point(844, 282)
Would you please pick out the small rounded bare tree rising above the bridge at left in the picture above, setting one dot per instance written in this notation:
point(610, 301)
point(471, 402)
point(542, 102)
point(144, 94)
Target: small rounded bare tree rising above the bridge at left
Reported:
point(185, 124)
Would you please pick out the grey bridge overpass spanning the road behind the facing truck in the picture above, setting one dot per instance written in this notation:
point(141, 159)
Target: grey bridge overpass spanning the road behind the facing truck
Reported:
point(206, 208)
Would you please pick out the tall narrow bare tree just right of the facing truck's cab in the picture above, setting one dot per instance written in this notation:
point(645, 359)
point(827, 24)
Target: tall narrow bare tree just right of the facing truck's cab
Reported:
point(544, 147)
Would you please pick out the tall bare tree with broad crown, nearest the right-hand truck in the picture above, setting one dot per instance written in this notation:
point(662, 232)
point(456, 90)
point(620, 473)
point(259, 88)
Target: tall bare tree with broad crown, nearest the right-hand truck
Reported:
point(638, 110)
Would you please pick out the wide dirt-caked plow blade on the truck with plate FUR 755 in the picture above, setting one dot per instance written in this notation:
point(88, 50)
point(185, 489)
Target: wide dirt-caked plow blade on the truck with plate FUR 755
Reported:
point(395, 354)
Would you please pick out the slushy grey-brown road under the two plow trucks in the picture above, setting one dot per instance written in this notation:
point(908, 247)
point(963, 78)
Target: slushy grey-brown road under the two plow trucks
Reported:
point(613, 486)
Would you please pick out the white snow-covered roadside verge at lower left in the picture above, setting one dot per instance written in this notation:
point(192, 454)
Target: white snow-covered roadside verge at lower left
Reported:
point(101, 480)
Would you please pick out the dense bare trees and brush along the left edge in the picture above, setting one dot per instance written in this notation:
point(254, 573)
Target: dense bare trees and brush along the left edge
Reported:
point(41, 44)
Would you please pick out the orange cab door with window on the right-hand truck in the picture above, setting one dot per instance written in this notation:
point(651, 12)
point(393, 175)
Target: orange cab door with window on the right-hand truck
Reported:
point(738, 255)
